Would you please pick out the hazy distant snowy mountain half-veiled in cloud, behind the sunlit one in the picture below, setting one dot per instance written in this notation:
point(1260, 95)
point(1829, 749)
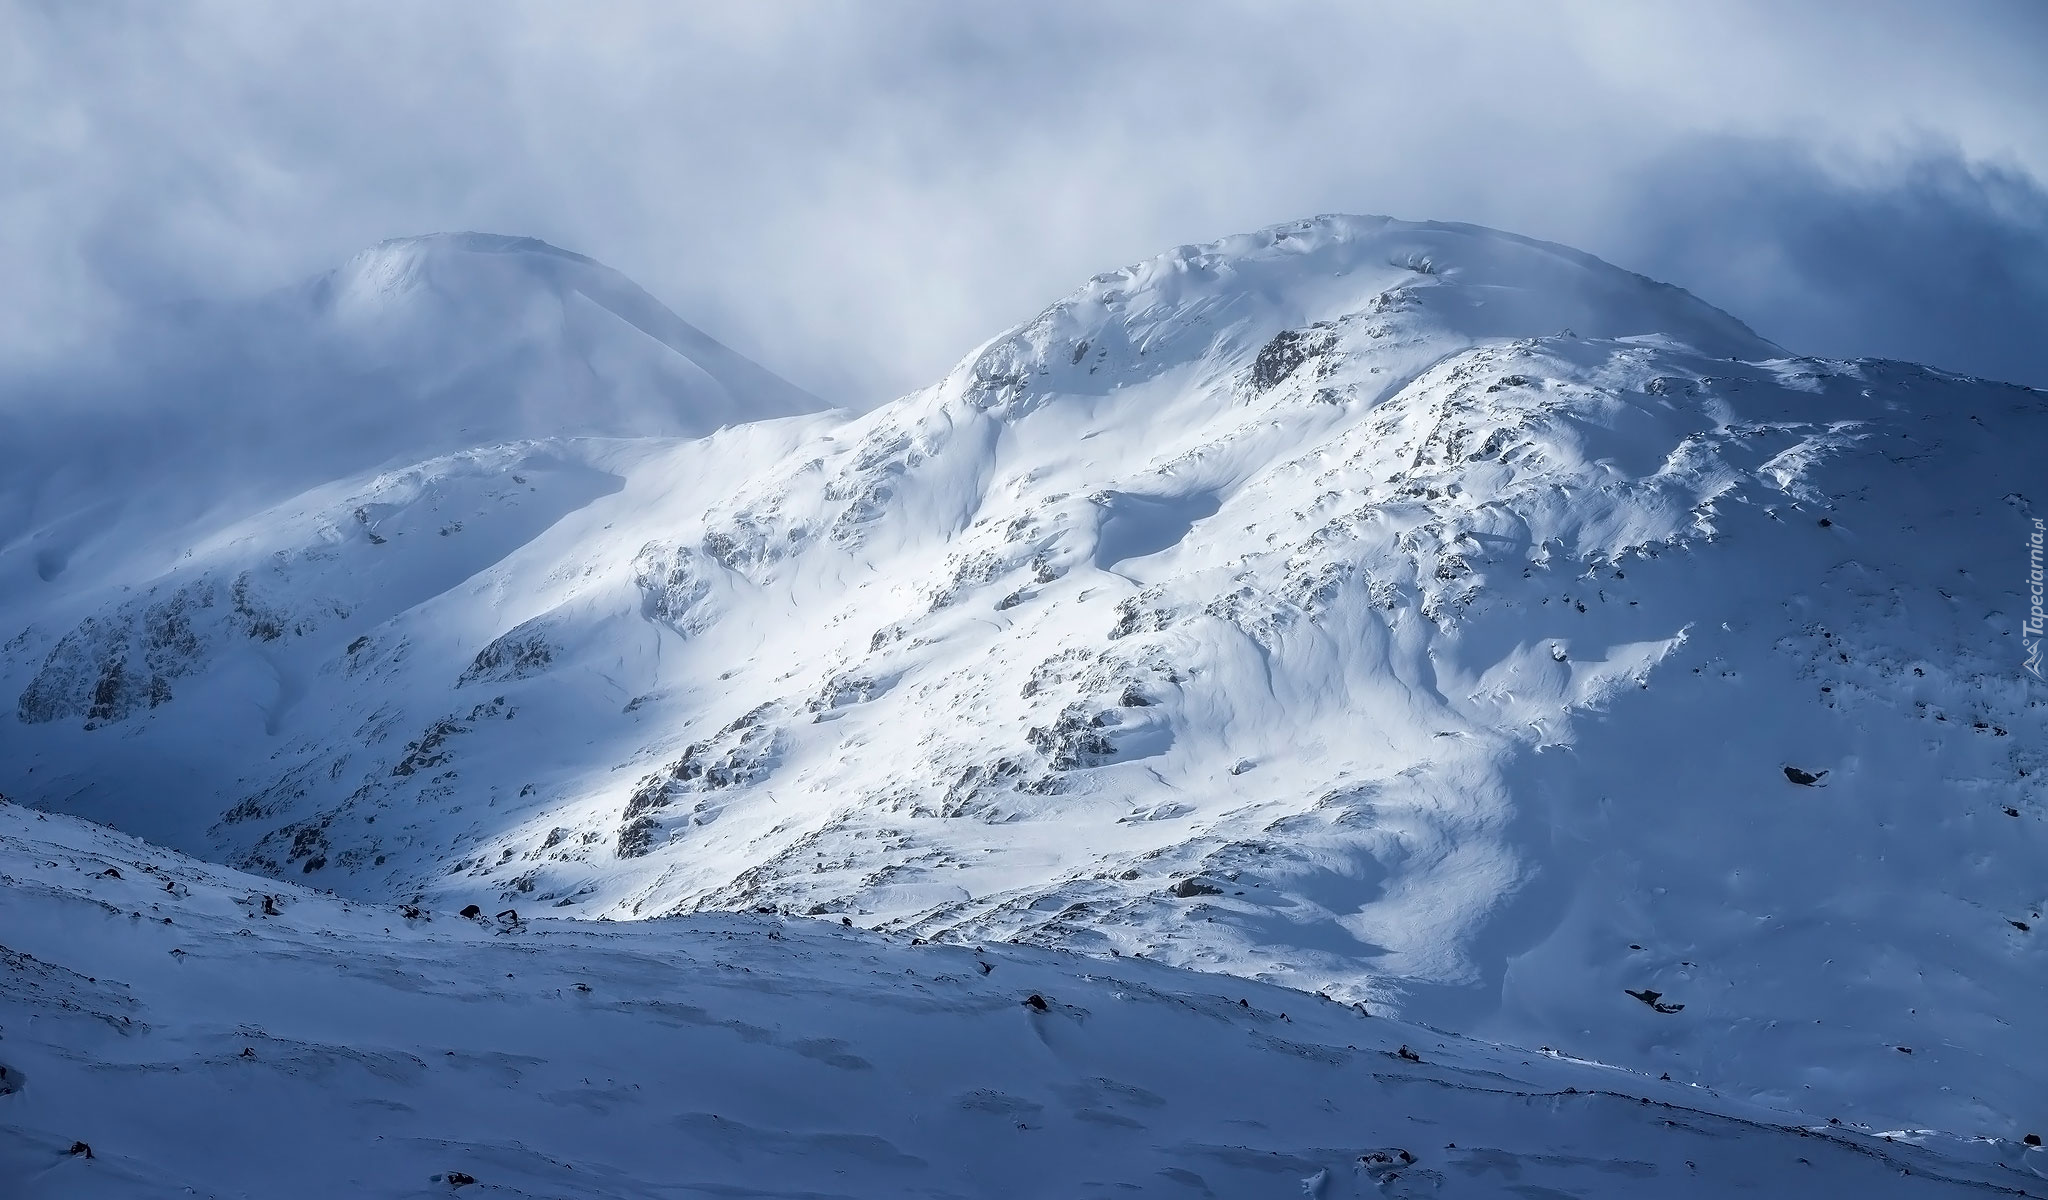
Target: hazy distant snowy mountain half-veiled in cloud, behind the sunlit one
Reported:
point(415, 349)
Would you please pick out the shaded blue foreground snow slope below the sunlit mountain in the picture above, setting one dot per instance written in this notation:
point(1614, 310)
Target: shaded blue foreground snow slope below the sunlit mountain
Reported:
point(216, 1035)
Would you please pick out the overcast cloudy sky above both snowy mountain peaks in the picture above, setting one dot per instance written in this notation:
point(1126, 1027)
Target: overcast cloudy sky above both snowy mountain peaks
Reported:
point(859, 194)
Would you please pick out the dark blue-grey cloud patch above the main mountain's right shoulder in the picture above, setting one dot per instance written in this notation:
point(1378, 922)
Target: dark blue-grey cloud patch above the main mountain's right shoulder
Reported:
point(1928, 259)
